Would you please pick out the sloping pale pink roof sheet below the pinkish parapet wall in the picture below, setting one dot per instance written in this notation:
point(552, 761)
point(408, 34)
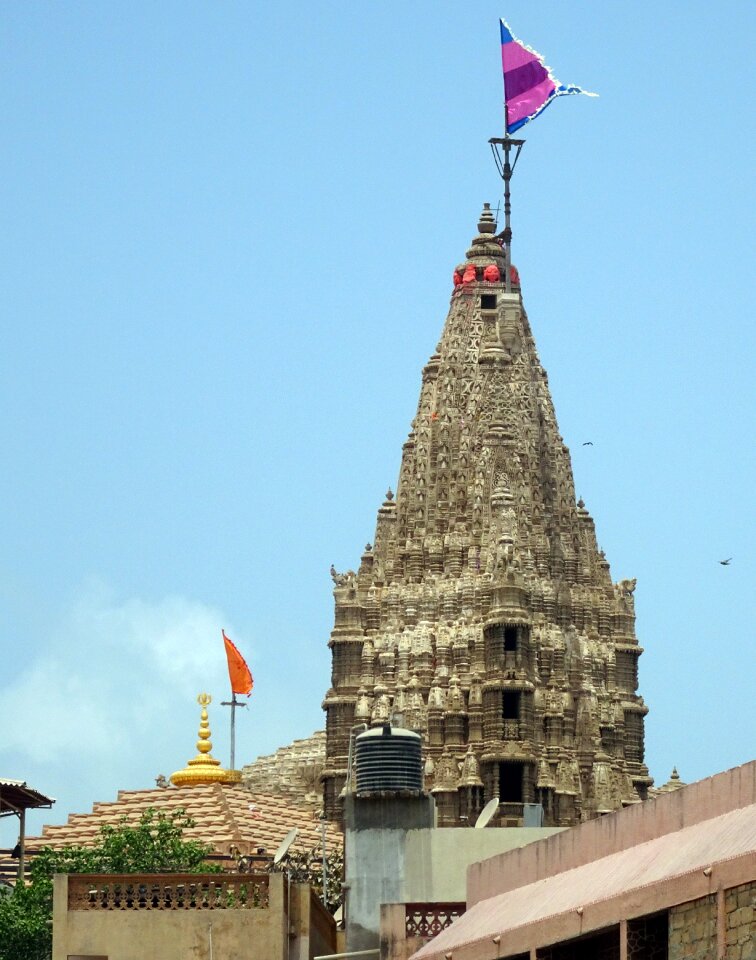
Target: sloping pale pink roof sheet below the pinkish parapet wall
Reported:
point(664, 858)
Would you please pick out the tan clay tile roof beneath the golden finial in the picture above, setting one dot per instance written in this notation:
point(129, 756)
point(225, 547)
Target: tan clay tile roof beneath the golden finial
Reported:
point(228, 817)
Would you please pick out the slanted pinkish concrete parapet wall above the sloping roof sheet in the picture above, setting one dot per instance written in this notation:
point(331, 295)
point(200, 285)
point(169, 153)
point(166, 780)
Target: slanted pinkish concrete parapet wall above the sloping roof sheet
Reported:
point(617, 831)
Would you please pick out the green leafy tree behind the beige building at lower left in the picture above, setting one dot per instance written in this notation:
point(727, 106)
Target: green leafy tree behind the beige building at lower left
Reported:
point(153, 844)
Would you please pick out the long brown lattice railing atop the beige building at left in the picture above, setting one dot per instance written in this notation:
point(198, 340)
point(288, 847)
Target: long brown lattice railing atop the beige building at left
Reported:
point(175, 891)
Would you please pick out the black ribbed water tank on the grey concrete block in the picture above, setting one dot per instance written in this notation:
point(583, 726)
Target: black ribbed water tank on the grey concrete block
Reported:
point(389, 761)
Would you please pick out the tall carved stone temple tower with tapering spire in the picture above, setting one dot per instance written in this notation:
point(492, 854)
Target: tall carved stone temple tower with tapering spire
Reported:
point(484, 616)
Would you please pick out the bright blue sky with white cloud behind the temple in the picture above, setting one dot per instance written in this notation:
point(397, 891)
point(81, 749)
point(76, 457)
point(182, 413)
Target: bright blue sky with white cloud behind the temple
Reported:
point(229, 231)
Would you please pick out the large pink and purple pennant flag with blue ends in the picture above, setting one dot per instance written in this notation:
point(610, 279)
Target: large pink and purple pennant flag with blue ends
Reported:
point(529, 85)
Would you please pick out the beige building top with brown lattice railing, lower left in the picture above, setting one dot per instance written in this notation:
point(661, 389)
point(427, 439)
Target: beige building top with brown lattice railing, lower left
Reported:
point(188, 917)
